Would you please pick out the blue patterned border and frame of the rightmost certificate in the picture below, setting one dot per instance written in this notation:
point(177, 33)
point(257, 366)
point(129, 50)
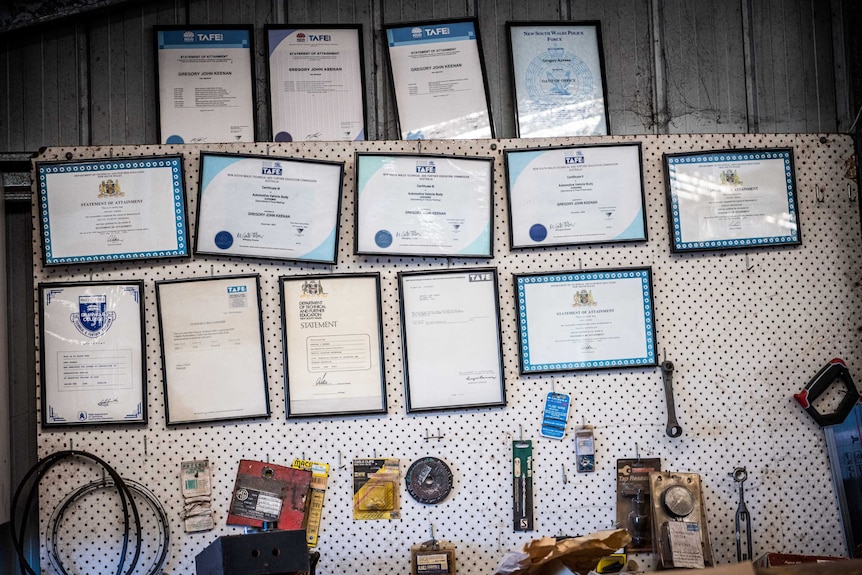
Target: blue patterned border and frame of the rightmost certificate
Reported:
point(789, 188)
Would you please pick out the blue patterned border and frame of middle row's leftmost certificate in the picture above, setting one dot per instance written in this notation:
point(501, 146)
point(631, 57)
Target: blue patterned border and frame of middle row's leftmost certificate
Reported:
point(174, 163)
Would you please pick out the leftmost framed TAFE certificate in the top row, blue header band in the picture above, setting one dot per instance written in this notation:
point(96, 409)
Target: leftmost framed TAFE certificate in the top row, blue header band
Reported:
point(205, 78)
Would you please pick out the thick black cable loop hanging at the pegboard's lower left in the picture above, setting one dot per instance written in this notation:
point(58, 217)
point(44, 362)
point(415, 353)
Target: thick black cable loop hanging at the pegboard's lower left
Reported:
point(37, 472)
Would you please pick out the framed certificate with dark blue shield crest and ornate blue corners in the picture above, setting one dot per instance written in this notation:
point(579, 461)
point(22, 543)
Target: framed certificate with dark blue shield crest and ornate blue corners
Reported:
point(92, 353)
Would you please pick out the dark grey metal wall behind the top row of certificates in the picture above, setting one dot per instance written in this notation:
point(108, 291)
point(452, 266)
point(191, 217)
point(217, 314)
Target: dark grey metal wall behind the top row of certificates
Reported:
point(673, 66)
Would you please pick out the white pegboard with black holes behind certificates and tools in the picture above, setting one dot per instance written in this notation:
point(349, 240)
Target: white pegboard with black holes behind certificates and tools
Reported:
point(745, 330)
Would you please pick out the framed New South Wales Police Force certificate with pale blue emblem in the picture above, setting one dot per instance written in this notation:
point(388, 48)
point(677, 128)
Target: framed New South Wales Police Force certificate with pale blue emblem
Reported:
point(558, 79)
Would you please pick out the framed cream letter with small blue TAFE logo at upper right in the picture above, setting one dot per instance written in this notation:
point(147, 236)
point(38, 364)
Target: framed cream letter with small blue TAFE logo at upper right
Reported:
point(211, 335)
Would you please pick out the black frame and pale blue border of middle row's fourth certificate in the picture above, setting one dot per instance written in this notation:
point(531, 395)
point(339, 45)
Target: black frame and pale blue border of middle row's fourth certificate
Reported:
point(636, 232)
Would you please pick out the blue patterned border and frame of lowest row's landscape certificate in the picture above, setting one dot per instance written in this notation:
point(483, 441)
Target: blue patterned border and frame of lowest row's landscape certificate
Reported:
point(644, 274)
